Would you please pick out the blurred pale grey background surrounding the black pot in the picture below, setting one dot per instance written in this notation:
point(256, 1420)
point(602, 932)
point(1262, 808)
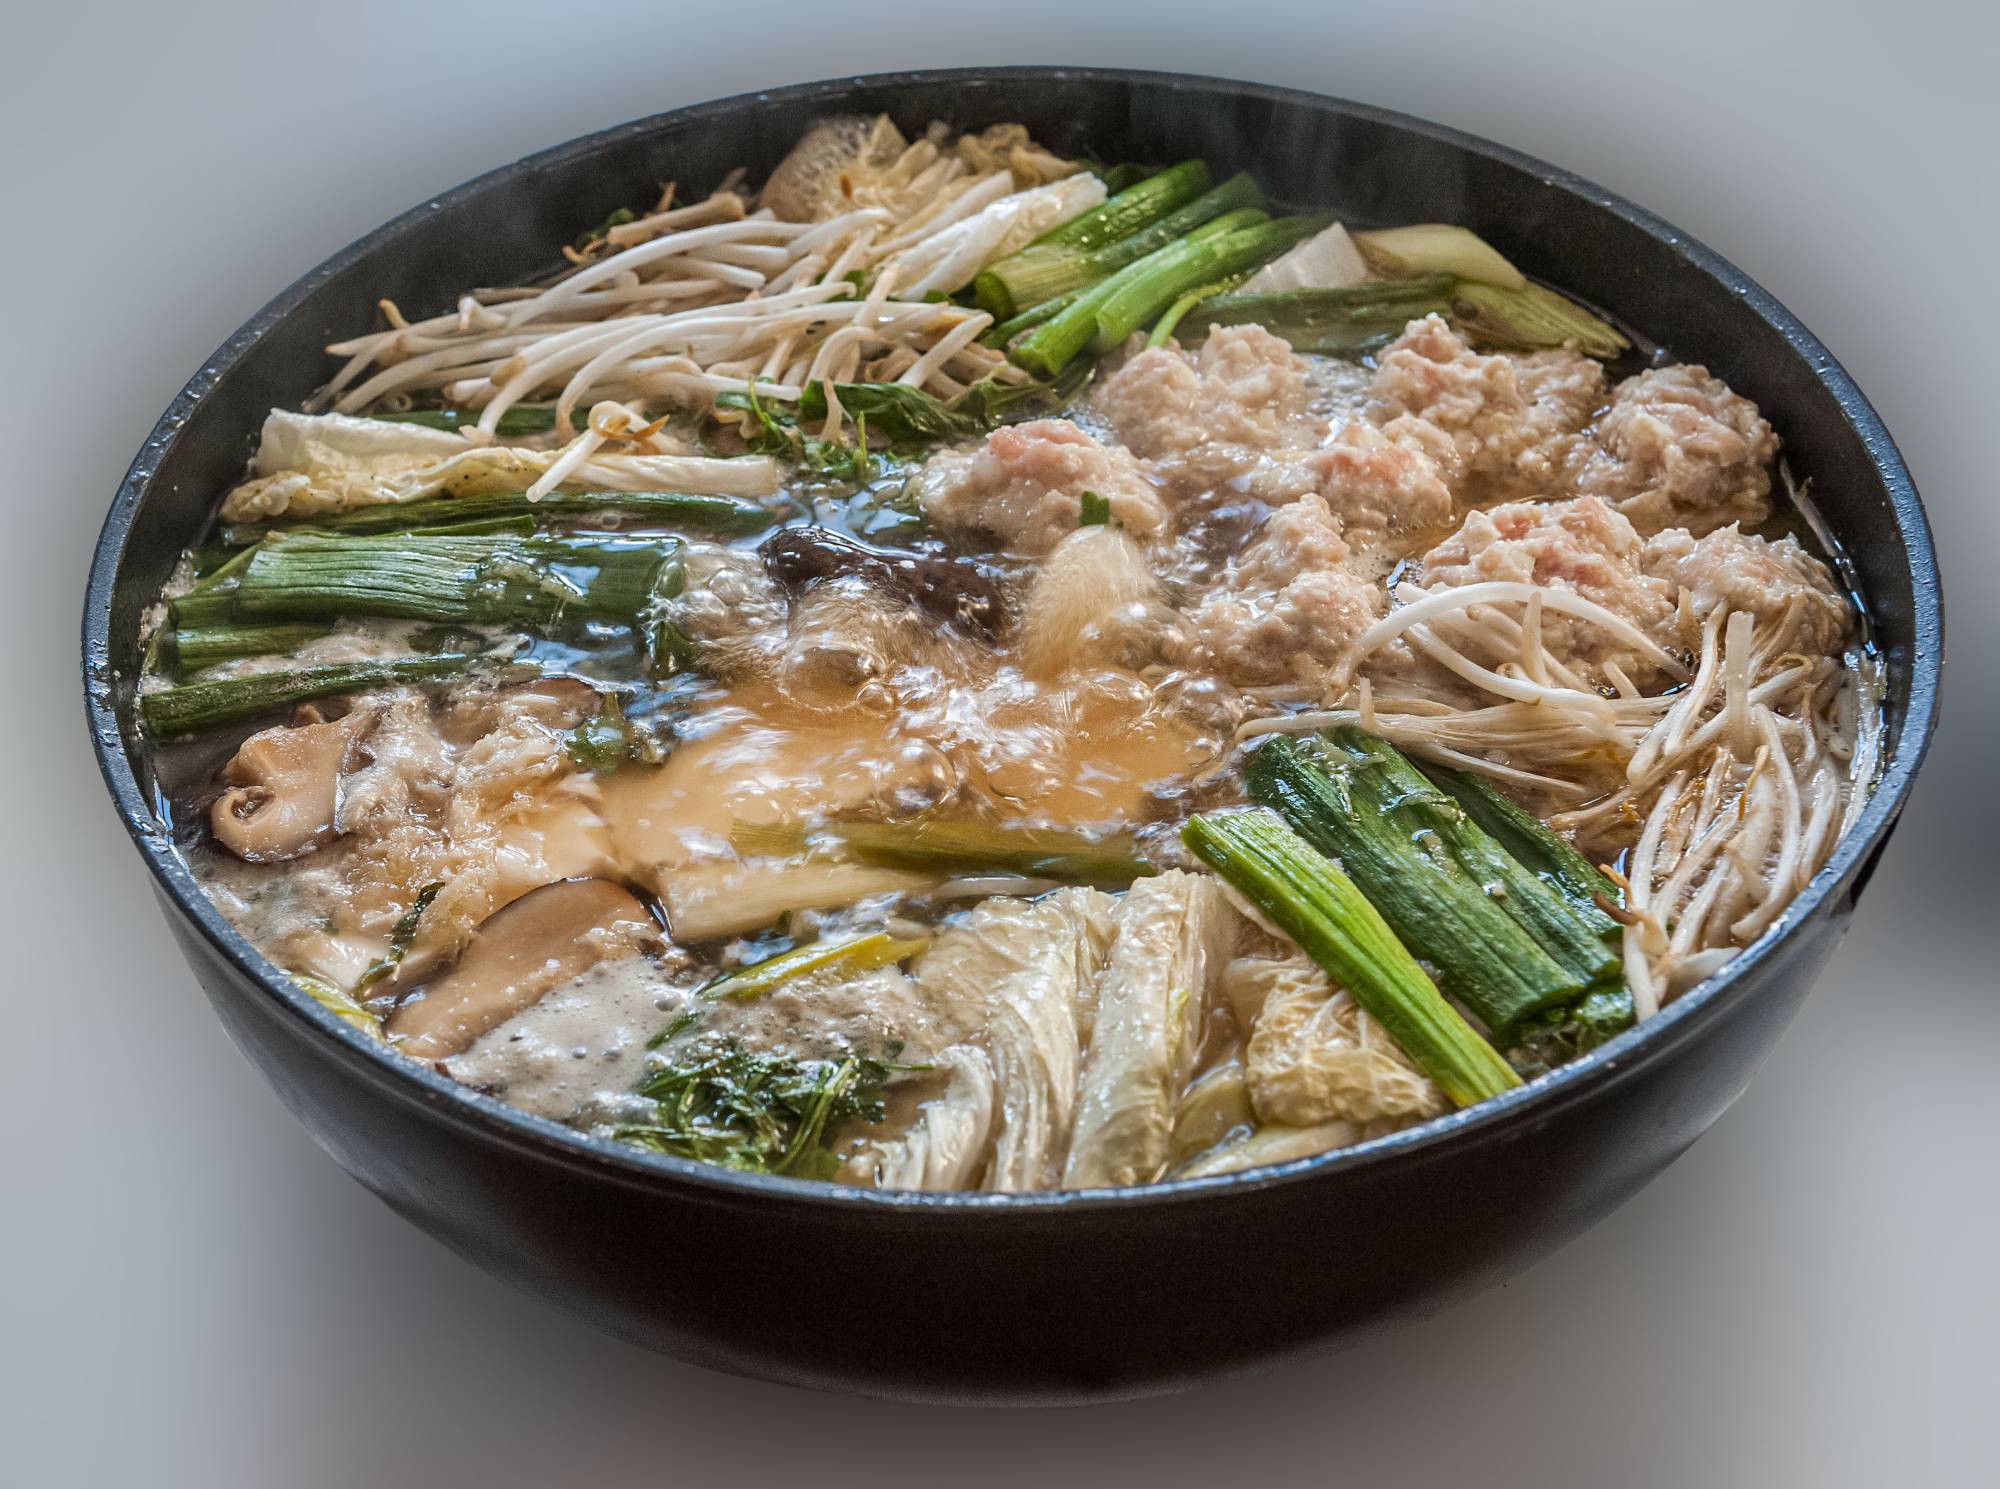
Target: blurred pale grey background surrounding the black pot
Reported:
point(195, 1296)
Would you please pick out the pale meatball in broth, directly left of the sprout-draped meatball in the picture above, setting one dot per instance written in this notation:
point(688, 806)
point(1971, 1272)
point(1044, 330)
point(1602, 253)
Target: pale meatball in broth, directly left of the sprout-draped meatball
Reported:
point(1289, 607)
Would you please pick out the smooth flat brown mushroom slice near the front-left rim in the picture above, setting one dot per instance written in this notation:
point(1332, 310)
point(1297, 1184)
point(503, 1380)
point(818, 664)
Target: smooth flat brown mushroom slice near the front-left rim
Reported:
point(521, 954)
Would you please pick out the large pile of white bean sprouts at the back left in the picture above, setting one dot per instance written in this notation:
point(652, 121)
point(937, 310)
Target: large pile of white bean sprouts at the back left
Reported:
point(715, 297)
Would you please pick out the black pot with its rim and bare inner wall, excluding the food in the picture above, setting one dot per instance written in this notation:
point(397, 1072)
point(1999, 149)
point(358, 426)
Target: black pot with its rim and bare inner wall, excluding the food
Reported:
point(1065, 1296)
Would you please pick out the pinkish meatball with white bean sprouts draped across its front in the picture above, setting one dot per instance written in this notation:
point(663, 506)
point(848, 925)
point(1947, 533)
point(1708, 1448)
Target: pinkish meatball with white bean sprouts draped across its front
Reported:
point(1581, 545)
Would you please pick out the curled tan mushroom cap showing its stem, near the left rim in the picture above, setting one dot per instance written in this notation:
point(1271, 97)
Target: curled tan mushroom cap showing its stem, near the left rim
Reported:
point(285, 786)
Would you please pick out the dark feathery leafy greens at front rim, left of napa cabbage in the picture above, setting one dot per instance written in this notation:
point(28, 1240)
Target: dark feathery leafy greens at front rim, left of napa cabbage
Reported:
point(761, 1114)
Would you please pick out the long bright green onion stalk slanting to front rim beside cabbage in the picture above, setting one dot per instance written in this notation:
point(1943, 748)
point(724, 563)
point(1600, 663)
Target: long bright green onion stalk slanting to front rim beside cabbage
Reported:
point(1321, 910)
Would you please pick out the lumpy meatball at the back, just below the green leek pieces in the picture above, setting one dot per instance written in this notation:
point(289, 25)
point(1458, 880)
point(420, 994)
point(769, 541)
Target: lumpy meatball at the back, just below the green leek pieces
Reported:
point(1495, 425)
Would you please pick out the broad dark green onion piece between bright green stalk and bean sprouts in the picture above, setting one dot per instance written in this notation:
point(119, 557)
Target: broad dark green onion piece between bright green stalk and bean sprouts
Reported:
point(1447, 888)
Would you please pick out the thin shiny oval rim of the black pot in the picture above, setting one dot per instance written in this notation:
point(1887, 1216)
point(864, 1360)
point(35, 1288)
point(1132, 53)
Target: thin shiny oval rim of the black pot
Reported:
point(549, 1142)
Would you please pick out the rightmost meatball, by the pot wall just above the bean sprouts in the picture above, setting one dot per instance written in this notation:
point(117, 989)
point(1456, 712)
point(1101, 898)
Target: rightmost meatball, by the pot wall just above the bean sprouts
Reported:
point(1735, 571)
